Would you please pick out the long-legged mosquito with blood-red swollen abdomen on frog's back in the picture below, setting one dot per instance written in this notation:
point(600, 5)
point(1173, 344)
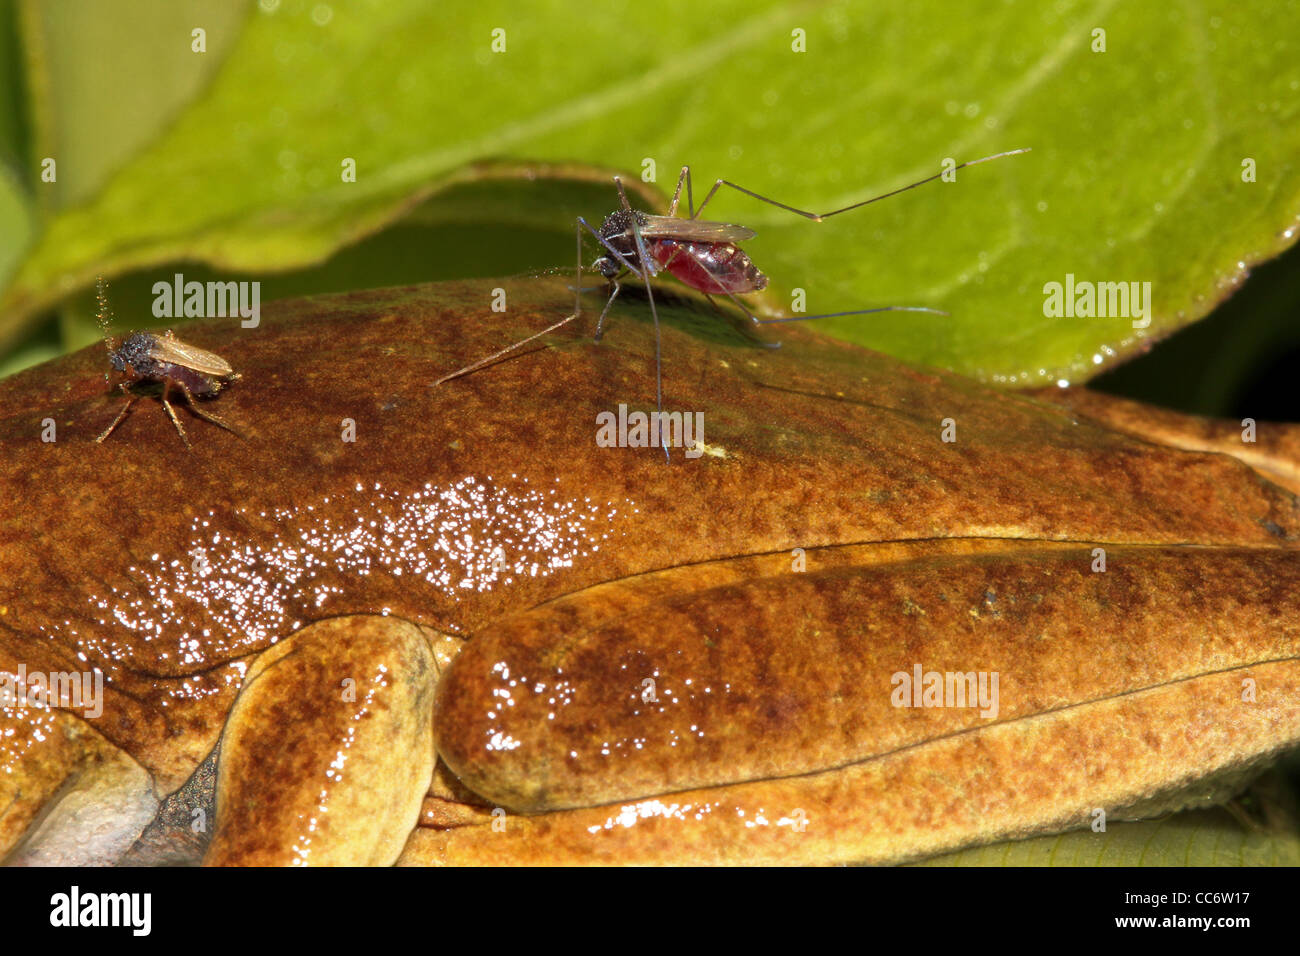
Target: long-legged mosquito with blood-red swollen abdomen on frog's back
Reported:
point(701, 254)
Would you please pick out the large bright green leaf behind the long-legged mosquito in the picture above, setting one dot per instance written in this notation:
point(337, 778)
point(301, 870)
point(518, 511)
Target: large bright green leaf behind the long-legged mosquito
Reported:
point(1136, 172)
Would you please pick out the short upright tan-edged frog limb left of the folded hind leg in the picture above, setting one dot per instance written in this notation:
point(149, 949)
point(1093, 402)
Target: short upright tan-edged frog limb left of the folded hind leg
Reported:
point(328, 751)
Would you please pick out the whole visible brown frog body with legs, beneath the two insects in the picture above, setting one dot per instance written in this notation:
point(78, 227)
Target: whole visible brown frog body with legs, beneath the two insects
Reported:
point(383, 572)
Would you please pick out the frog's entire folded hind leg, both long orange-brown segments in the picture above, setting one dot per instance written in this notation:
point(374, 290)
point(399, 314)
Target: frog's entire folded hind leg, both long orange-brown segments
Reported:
point(746, 712)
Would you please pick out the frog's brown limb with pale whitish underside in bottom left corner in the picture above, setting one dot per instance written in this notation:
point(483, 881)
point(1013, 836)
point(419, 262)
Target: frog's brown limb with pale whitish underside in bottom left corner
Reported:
point(68, 797)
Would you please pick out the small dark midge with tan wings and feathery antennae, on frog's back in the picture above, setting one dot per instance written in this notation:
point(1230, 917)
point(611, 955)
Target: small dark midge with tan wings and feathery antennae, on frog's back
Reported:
point(146, 357)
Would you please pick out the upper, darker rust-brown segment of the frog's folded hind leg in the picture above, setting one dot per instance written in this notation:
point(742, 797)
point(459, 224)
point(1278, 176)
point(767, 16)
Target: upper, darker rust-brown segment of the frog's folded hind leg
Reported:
point(783, 673)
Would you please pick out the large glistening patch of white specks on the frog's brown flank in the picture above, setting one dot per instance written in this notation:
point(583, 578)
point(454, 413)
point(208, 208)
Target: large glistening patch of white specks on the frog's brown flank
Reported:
point(254, 587)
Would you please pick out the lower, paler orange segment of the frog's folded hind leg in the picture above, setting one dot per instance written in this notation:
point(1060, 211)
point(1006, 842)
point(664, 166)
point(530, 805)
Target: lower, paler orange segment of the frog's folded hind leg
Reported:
point(1042, 775)
